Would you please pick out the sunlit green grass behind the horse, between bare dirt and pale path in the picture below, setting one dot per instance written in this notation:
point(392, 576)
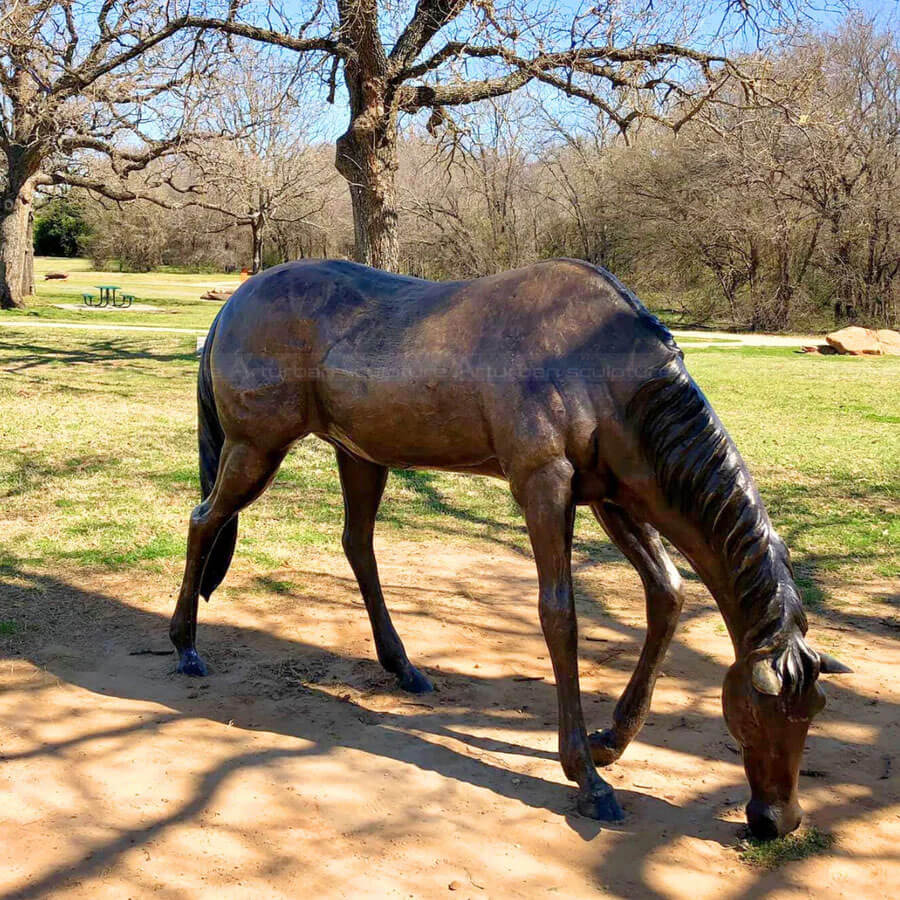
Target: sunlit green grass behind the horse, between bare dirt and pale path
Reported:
point(98, 463)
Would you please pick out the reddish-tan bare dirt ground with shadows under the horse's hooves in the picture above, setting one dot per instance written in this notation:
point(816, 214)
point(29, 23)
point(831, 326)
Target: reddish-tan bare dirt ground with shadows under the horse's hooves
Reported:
point(298, 770)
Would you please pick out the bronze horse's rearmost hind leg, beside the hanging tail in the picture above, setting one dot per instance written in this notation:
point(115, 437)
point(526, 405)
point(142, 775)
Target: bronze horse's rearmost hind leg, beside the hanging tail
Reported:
point(244, 473)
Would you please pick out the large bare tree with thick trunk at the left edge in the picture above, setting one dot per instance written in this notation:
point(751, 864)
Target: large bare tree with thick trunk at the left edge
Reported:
point(77, 76)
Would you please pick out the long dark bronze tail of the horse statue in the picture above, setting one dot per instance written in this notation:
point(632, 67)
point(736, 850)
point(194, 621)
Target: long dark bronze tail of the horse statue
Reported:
point(210, 439)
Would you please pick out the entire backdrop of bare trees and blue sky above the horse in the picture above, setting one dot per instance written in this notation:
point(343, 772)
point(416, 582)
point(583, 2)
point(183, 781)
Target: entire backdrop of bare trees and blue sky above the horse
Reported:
point(756, 188)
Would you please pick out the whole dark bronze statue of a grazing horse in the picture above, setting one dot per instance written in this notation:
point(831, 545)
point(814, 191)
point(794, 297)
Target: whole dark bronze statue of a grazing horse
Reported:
point(555, 378)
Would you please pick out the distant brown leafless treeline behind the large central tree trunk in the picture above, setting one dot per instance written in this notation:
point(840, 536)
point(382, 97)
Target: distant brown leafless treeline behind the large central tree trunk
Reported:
point(767, 218)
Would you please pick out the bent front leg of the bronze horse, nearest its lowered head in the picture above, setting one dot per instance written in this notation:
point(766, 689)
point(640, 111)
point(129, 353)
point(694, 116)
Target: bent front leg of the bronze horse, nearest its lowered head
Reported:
point(641, 545)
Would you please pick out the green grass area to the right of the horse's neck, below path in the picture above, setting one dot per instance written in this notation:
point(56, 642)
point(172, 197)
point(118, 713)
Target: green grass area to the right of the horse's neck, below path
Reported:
point(819, 435)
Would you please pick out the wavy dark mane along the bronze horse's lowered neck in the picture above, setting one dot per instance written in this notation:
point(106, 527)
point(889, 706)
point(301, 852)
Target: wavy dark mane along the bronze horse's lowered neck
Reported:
point(703, 476)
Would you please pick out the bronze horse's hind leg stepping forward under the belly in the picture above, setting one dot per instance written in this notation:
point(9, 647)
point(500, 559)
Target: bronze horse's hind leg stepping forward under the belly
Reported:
point(363, 485)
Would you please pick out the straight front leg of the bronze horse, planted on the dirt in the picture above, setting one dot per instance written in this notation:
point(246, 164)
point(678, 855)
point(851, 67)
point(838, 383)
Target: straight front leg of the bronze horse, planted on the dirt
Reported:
point(545, 496)
